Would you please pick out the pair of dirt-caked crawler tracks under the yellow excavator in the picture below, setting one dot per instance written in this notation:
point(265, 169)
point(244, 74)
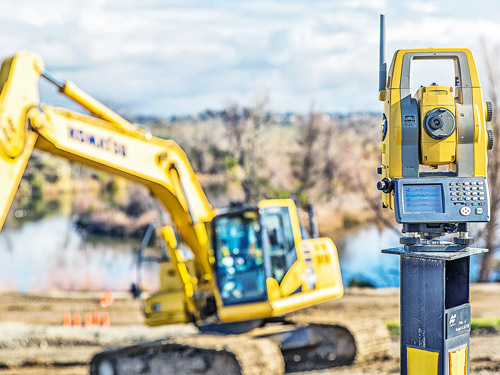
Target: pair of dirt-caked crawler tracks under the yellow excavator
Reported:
point(313, 341)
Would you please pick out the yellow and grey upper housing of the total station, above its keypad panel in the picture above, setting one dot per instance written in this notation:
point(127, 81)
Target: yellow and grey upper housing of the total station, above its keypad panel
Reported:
point(440, 131)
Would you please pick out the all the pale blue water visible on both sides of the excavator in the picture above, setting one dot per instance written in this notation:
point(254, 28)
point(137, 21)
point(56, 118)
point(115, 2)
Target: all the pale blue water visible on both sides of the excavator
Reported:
point(49, 254)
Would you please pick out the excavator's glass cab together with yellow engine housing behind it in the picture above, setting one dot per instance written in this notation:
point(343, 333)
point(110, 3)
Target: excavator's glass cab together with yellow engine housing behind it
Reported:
point(264, 268)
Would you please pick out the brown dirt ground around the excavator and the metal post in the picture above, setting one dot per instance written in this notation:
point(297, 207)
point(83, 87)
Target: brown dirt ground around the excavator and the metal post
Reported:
point(33, 340)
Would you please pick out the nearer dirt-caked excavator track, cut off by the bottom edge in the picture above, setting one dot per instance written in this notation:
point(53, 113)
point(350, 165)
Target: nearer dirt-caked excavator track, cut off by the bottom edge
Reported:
point(200, 354)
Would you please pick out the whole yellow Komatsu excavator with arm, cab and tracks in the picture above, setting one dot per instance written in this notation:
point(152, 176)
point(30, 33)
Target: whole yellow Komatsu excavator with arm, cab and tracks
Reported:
point(250, 272)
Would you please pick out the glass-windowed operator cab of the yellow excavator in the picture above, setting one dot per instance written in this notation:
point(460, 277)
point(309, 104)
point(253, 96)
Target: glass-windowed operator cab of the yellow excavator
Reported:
point(252, 244)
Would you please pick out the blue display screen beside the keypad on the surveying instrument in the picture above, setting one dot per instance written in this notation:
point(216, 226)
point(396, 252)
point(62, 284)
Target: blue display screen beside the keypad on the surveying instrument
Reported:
point(423, 198)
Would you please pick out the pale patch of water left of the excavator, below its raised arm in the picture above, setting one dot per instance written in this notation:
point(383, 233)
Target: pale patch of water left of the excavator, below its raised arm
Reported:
point(49, 254)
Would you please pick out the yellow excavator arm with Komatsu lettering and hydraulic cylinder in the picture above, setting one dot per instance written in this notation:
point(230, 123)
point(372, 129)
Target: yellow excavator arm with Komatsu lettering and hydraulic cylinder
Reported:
point(105, 141)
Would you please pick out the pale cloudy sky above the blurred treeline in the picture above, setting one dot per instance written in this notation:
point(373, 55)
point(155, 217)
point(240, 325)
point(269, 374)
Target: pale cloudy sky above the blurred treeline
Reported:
point(159, 57)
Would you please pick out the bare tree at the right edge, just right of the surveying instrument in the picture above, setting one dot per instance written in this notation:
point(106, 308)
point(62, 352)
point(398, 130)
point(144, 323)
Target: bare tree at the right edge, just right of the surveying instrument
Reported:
point(491, 58)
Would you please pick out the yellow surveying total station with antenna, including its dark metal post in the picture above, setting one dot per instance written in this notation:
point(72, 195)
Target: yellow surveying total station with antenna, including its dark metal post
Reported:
point(433, 176)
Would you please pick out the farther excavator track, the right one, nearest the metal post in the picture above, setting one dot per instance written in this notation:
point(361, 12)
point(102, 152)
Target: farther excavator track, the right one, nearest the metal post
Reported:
point(335, 340)
